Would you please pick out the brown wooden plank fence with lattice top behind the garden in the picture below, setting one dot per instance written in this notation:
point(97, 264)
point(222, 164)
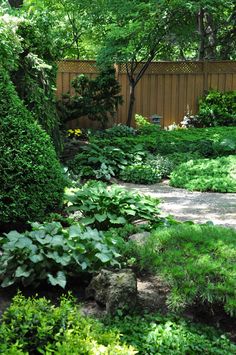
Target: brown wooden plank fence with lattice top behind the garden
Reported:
point(167, 89)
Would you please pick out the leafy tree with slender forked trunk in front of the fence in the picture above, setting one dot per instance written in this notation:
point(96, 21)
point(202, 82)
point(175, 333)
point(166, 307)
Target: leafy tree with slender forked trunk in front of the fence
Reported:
point(138, 32)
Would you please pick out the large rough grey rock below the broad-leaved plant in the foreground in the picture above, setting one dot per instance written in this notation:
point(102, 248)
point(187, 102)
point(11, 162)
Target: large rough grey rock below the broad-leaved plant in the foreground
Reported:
point(114, 290)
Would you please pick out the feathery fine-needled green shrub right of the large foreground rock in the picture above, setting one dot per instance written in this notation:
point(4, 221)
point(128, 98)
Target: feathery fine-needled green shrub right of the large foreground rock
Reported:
point(197, 261)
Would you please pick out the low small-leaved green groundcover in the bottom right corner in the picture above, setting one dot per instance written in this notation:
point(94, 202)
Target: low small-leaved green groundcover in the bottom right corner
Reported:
point(155, 334)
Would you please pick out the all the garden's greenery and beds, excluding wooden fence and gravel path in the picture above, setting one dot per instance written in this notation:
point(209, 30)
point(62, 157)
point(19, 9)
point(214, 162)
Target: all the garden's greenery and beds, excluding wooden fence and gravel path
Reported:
point(88, 265)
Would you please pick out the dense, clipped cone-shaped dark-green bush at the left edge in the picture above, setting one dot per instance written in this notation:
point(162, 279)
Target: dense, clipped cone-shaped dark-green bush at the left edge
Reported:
point(31, 179)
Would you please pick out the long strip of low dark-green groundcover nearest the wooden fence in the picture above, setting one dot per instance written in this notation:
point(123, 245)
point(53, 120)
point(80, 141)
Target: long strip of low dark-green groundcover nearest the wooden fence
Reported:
point(205, 141)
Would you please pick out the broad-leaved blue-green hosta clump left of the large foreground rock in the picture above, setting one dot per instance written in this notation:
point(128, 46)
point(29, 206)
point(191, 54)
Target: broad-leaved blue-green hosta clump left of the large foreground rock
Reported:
point(53, 253)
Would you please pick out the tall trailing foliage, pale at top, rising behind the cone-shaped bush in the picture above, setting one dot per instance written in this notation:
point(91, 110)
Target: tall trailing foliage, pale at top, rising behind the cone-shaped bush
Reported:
point(28, 52)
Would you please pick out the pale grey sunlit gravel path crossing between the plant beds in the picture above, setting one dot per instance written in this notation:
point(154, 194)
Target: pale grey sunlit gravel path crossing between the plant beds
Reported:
point(184, 205)
